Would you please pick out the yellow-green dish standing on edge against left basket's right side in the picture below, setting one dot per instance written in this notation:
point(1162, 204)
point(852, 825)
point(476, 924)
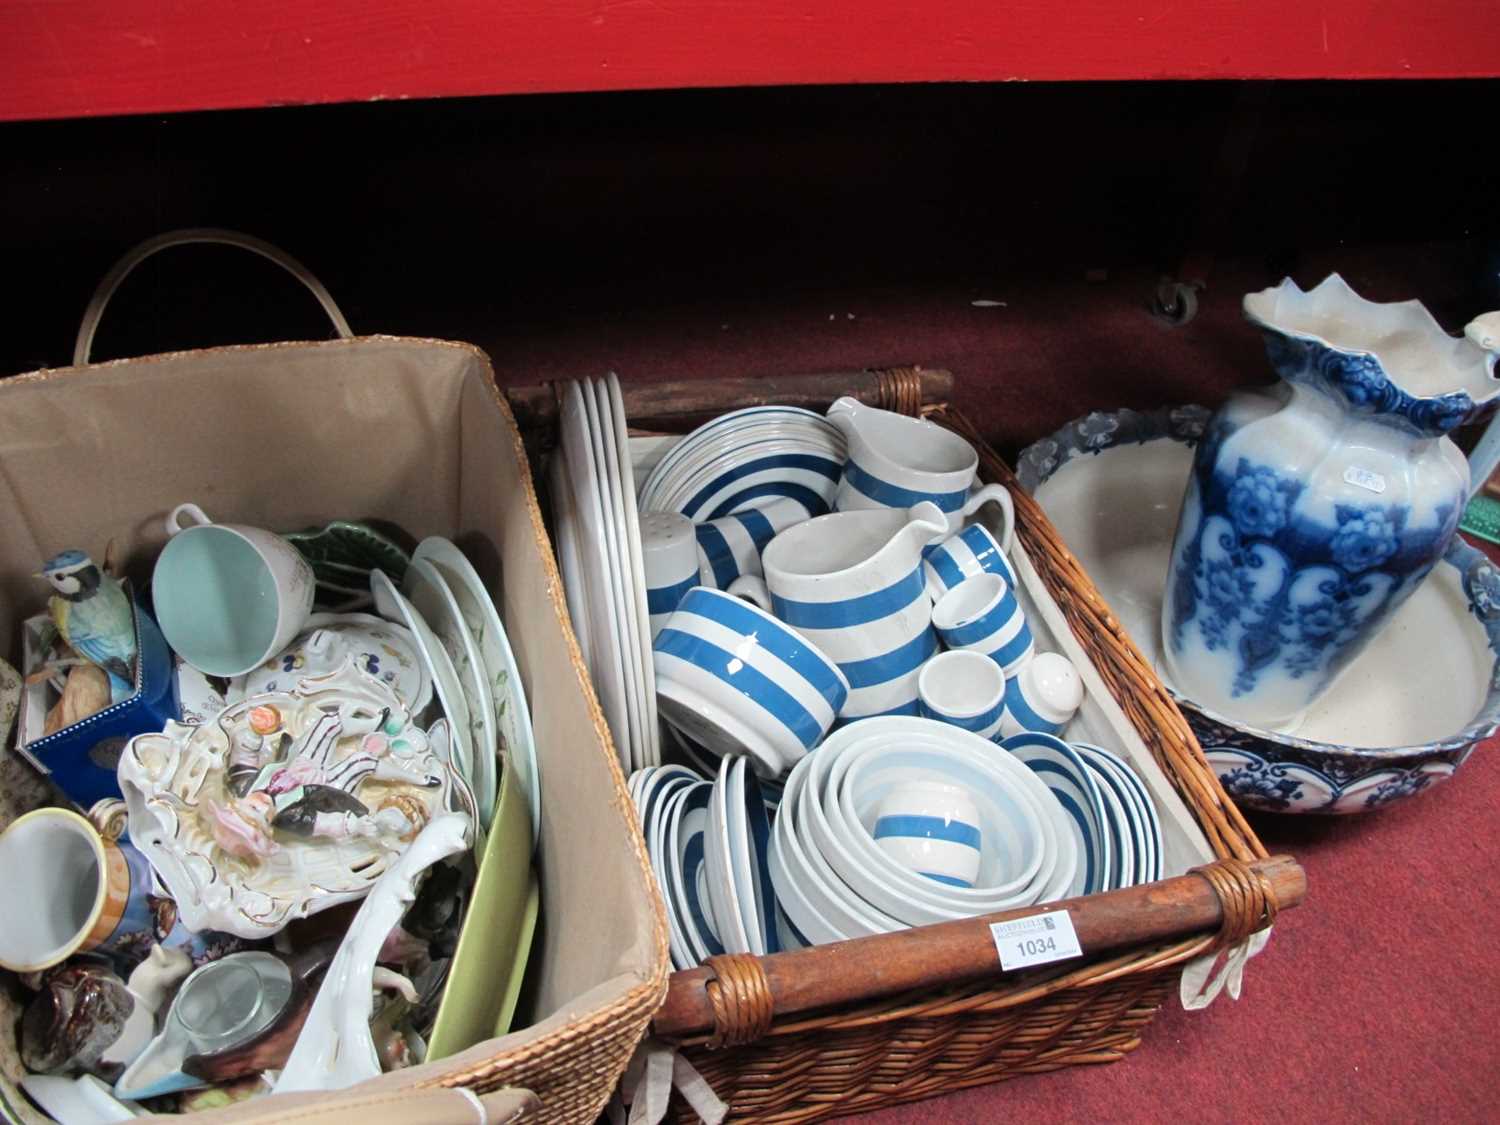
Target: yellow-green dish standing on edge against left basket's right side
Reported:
point(484, 985)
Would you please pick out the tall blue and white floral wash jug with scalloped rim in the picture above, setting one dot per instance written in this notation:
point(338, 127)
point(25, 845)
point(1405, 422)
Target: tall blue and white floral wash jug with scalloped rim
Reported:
point(1316, 508)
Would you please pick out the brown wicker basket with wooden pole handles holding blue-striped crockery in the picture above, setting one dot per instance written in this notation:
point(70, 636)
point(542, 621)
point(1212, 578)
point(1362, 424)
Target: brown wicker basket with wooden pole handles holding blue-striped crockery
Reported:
point(854, 1027)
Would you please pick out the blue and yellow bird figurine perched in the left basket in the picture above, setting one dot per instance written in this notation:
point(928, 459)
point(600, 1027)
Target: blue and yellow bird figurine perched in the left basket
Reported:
point(94, 614)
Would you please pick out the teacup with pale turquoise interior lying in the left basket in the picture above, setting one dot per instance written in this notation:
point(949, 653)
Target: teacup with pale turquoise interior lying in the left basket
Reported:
point(227, 596)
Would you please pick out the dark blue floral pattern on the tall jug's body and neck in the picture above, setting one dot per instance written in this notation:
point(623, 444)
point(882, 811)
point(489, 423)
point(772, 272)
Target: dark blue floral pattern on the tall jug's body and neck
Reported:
point(1283, 592)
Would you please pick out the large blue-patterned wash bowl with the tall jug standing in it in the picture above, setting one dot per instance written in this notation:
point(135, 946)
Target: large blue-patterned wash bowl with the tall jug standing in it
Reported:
point(1400, 719)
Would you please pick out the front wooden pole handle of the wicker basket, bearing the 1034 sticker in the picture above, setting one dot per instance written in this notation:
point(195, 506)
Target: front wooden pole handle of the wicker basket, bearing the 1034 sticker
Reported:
point(733, 1003)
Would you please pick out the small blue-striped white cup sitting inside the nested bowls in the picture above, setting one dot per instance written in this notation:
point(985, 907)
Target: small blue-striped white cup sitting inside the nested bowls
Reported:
point(932, 829)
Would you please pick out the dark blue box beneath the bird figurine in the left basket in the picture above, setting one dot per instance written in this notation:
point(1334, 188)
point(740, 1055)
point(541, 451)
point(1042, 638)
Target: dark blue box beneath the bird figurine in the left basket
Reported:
point(82, 760)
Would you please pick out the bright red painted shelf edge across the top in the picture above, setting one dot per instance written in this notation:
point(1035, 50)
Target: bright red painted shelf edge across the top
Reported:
point(92, 58)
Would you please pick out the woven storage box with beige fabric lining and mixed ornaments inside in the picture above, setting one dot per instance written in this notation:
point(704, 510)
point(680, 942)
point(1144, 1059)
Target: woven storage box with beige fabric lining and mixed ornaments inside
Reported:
point(413, 433)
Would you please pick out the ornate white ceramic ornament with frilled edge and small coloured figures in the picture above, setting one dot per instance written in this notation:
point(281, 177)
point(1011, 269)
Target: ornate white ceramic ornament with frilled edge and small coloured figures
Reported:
point(286, 803)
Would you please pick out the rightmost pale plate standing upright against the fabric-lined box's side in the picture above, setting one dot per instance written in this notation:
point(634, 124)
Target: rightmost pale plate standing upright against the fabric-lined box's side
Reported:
point(509, 695)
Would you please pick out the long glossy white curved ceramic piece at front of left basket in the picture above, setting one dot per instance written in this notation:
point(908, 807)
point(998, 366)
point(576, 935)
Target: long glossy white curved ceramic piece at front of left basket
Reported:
point(335, 1048)
